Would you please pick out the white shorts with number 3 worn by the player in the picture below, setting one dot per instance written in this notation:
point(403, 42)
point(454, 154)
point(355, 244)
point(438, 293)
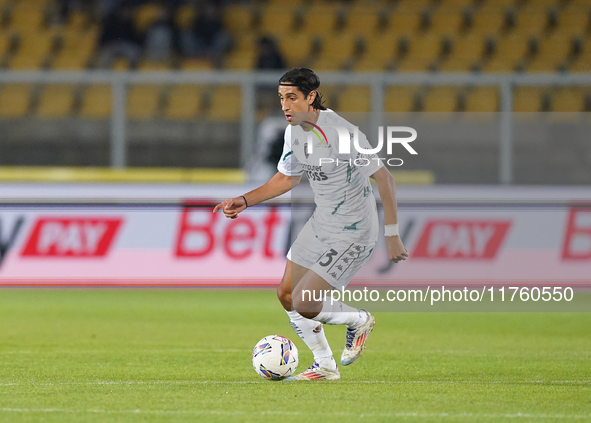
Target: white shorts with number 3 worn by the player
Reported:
point(334, 260)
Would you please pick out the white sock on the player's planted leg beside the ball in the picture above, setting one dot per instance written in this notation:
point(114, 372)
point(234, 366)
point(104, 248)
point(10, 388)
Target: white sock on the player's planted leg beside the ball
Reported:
point(312, 333)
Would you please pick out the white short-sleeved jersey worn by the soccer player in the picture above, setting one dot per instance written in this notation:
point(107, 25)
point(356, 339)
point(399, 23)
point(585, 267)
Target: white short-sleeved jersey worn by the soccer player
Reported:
point(345, 204)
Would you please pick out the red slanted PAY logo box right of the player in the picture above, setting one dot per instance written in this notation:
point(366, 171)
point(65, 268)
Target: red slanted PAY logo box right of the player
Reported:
point(461, 239)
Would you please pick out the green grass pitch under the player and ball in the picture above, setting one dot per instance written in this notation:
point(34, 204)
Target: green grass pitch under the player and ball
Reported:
point(91, 355)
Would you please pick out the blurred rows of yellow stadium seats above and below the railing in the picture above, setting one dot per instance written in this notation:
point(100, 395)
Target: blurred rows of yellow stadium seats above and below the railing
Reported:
point(360, 35)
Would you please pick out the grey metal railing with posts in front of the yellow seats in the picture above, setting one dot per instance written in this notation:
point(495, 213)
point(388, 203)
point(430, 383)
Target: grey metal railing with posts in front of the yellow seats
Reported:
point(119, 82)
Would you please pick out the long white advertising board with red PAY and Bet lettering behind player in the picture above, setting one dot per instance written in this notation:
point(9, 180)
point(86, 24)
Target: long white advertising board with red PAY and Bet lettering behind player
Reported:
point(185, 244)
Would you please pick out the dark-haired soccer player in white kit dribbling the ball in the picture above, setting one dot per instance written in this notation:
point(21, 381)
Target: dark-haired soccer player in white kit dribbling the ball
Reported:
point(343, 230)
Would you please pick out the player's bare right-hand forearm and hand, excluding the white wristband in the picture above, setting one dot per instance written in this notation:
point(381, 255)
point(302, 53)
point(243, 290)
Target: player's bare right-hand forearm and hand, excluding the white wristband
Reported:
point(387, 189)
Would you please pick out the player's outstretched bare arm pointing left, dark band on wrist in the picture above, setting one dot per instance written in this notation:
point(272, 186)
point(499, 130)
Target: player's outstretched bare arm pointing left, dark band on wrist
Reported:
point(277, 185)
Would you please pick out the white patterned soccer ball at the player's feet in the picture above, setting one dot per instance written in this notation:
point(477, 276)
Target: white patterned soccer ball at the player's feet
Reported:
point(275, 357)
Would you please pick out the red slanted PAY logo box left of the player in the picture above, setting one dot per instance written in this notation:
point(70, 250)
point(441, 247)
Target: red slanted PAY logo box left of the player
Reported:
point(71, 237)
